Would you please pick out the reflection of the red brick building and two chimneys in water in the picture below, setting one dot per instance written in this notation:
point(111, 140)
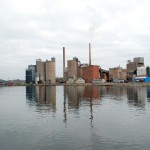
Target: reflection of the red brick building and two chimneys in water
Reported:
point(85, 96)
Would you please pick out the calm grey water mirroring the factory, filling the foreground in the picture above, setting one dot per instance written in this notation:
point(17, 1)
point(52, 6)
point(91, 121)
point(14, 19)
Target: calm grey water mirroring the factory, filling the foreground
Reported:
point(74, 117)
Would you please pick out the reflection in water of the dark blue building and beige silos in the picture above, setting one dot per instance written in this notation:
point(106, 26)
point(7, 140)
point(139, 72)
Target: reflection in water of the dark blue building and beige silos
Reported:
point(44, 96)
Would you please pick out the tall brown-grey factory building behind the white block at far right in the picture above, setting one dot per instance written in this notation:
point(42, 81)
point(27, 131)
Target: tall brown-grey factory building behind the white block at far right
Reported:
point(132, 67)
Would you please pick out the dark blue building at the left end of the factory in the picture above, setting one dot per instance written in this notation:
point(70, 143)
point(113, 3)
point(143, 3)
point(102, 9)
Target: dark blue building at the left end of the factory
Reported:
point(30, 74)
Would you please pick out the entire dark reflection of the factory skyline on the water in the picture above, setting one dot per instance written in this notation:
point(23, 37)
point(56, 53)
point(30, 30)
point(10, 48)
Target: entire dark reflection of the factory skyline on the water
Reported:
point(72, 98)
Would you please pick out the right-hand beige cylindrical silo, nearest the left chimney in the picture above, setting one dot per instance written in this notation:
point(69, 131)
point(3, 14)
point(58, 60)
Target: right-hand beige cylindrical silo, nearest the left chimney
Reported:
point(50, 71)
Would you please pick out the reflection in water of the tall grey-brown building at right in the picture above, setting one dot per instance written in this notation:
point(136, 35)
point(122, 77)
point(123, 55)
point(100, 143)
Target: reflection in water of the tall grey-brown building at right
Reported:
point(136, 96)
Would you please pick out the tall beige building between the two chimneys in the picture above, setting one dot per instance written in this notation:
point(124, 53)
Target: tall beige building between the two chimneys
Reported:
point(73, 68)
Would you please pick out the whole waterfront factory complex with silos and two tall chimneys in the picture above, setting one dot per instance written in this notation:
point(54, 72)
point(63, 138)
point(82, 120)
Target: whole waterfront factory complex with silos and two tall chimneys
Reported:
point(44, 72)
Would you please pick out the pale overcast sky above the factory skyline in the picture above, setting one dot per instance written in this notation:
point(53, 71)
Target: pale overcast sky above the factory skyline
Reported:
point(31, 29)
